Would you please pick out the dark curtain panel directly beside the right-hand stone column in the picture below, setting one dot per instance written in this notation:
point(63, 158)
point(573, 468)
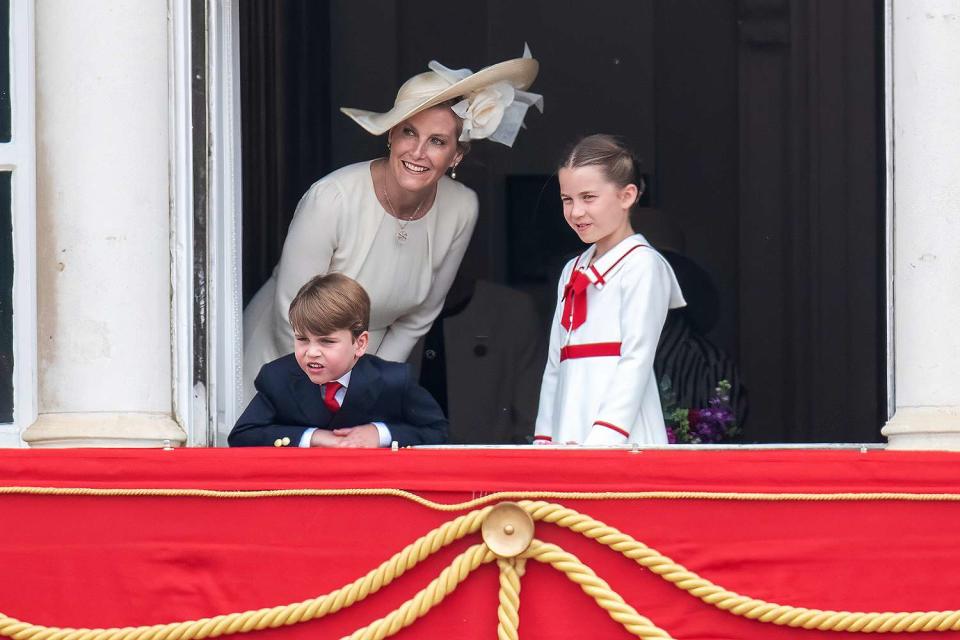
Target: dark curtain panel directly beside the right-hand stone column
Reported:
point(811, 236)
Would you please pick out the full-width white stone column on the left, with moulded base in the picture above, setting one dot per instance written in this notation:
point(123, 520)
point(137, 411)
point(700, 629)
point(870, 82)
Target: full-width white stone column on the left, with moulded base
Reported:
point(103, 225)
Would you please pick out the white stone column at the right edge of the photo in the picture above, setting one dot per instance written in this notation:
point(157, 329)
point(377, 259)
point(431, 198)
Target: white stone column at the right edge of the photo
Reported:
point(926, 187)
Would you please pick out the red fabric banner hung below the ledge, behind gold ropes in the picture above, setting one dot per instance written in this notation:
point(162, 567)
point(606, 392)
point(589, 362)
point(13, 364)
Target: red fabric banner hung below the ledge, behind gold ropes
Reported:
point(95, 561)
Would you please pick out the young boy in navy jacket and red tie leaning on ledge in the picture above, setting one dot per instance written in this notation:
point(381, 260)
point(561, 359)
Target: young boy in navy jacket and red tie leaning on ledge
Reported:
point(327, 393)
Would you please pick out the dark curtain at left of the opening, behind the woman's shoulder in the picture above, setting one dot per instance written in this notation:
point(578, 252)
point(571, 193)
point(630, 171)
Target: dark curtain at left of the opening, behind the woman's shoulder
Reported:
point(284, 84)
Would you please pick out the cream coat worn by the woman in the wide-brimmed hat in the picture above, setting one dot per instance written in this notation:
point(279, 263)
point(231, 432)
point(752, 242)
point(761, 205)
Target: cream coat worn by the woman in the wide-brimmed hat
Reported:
point(333, 230)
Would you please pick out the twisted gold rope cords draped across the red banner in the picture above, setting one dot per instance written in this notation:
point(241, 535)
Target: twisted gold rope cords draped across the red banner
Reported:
point(511, 571)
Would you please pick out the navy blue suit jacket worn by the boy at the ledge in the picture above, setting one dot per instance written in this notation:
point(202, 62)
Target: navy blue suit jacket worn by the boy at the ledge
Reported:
point(287, 403)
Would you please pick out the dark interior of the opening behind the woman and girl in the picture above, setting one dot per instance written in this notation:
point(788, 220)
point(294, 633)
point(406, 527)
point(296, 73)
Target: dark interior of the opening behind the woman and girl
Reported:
point(759, 123)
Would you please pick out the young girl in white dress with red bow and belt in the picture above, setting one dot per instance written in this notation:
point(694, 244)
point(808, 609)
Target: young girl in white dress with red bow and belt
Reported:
point(599, 387)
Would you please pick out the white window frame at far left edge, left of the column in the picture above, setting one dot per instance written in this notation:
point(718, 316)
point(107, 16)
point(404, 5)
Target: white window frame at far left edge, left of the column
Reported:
point(19, 157)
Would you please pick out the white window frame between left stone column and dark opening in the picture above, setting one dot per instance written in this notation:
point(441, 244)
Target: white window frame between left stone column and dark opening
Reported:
point(206, 410)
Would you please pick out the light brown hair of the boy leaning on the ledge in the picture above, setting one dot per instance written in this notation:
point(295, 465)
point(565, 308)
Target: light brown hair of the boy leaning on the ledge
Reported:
point(330, 303)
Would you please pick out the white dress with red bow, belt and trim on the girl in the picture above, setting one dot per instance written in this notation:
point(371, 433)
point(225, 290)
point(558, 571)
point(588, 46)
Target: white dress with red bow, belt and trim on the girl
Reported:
point(598, 386)
